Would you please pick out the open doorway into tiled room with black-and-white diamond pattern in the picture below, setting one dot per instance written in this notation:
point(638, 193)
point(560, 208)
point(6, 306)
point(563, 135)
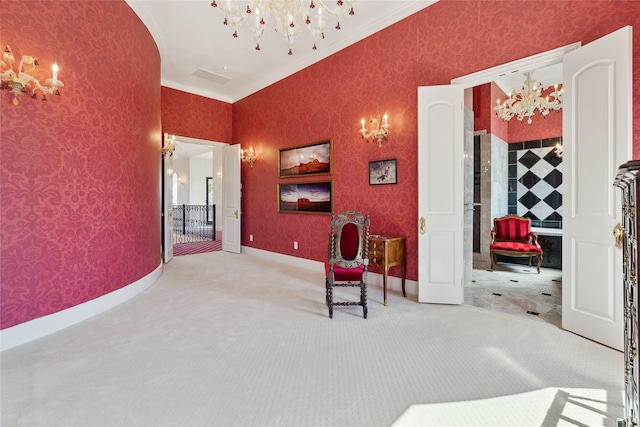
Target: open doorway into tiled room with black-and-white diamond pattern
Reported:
point(522, 178)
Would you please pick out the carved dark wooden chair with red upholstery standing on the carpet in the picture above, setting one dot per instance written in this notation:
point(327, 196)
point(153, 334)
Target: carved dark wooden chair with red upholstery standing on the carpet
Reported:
point(348, 257)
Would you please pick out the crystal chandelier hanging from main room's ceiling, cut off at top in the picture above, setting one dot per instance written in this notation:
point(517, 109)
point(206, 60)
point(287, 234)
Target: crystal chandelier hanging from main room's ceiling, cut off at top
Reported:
point(289, 15)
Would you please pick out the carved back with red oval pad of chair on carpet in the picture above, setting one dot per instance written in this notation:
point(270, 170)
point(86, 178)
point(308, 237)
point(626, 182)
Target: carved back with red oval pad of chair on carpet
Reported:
point(349, 240)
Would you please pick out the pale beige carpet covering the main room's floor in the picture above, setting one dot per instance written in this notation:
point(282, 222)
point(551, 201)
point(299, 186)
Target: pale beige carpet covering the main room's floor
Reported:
point(236, 340)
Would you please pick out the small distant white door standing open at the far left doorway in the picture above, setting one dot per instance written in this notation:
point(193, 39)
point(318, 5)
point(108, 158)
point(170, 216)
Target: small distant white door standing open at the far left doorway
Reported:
point(231, 198)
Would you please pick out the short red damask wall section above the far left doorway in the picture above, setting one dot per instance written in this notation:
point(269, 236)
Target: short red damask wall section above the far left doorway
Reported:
point(195, 116)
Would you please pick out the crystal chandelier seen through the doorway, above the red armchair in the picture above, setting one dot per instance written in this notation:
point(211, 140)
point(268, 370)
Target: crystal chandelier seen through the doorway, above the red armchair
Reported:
point(523, 104)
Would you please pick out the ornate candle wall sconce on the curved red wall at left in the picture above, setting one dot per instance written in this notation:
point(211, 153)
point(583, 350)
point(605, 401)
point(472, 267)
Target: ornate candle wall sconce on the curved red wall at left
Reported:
point(18, 83)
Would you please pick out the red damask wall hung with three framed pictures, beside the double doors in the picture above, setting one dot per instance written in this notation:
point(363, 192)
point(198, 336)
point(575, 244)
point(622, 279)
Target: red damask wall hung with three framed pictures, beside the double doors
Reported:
point(380, 74)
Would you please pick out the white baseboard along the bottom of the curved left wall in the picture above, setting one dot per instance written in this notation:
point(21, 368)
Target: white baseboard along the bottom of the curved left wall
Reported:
point(46, 325)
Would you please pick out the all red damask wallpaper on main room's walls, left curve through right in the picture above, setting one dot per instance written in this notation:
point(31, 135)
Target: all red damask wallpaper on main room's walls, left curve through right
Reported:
point(79, 176)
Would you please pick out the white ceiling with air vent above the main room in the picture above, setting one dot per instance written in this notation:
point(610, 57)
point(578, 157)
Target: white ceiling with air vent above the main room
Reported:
point(190, 35)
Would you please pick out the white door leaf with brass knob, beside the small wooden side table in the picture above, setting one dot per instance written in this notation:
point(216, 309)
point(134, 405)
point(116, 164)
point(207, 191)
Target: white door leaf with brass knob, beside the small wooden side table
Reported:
point(440, 194)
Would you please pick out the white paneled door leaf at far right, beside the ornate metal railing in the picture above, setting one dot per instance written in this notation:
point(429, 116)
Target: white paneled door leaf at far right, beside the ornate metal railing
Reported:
point(597, 139)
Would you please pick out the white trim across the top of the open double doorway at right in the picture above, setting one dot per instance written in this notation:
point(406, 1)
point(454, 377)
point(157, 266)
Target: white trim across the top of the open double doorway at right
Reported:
point(529, 63)
